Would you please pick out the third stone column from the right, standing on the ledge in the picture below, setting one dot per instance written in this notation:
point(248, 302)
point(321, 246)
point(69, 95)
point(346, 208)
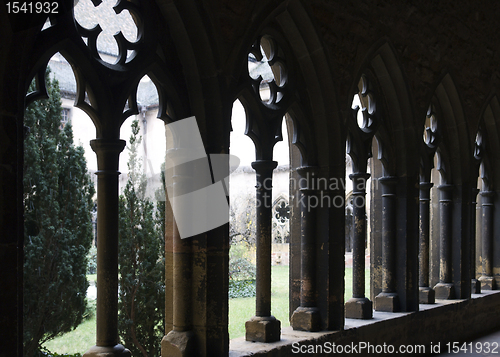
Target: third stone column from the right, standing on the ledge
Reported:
point(444, 289)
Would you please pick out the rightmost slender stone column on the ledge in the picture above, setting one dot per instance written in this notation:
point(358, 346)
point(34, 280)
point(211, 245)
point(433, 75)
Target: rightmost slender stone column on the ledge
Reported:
point(487, 279)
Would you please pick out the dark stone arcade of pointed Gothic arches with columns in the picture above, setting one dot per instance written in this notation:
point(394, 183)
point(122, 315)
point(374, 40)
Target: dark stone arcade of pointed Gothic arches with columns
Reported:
point(424, 134)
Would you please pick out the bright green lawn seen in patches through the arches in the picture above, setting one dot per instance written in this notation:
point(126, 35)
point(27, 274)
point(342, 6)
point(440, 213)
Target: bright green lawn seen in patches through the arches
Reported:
point(240, 310)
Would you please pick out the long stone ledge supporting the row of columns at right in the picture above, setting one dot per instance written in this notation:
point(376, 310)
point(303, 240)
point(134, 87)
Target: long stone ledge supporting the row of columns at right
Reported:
point(439, 322)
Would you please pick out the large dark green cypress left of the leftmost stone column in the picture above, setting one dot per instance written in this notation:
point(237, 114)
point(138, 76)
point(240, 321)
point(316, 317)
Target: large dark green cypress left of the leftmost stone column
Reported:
point(58, 224)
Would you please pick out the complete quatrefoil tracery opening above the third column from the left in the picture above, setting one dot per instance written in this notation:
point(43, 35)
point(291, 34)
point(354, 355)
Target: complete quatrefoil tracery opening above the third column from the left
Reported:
point(267, 71)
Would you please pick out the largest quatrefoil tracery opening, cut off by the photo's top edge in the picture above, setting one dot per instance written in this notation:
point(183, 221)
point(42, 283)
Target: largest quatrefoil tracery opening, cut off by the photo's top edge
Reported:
point(117, 22)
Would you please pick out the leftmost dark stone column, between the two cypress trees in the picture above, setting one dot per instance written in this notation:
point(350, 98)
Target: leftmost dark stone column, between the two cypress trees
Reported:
point(108, 152)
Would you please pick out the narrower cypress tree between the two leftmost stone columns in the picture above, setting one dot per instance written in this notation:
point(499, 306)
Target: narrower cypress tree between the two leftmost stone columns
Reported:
point(141, 261)
